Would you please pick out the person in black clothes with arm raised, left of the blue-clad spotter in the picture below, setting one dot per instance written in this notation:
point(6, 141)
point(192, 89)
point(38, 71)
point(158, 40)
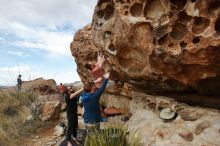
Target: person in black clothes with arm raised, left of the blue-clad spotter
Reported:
point(71, 101)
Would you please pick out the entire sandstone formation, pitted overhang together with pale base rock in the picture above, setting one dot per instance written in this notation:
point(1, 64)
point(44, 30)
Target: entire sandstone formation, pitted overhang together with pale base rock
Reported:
point(158, 46)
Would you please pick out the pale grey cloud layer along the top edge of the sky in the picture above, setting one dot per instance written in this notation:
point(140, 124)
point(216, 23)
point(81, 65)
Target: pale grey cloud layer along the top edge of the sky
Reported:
point(48, 12)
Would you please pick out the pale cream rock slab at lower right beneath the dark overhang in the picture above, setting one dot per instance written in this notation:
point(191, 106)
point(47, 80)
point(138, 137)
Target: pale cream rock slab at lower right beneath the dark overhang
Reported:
point(193, 125)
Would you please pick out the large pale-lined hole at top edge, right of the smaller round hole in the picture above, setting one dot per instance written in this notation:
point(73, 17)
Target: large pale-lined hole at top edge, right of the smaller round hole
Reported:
point(153, 9)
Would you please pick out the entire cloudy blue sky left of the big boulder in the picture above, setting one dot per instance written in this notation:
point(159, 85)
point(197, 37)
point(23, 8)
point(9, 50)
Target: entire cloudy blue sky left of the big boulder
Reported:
point(35, 37)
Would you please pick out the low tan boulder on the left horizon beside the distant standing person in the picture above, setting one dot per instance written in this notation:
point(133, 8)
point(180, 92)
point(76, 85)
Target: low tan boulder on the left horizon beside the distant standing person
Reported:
point(40, 86)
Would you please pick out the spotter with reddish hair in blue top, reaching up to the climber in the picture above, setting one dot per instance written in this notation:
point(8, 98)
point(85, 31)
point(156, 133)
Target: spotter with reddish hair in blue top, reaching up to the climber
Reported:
point(90, 100)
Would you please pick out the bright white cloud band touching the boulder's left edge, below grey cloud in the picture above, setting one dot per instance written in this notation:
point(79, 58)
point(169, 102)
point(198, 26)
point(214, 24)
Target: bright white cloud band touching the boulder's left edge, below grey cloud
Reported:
point(53, 42)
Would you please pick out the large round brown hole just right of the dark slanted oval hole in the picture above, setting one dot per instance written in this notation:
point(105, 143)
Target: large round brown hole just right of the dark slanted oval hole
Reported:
point(179, 31)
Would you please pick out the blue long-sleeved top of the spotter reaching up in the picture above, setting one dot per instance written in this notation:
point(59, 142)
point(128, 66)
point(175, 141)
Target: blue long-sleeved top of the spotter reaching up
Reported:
point(91, 104)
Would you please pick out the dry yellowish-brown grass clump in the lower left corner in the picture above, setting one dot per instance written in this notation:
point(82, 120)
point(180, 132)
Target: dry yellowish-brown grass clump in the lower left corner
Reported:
point(14, 108)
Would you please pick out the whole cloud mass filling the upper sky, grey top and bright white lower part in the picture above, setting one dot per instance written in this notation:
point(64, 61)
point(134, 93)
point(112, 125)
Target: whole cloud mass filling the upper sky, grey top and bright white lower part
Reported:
point(38, 24)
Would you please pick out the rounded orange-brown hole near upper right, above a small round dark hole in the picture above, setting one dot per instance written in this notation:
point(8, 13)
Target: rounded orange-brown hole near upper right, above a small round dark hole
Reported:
point(200, 24)
